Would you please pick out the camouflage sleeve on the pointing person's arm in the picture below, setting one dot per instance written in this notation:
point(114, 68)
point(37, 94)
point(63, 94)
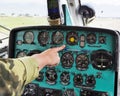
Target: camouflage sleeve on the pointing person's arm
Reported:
point(15, 73)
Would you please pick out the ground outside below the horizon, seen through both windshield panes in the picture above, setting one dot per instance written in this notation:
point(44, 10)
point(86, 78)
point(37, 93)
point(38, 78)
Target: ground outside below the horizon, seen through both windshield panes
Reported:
point(20, 21)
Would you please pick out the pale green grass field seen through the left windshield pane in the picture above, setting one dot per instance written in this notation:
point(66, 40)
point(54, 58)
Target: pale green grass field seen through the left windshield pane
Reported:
point(12, 22)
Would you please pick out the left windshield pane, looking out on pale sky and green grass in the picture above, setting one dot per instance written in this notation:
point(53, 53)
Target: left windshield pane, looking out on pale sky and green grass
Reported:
point(16, 13)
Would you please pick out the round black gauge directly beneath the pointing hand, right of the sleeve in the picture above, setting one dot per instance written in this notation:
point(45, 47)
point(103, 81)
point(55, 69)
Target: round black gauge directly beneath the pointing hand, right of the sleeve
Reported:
point(51, 76)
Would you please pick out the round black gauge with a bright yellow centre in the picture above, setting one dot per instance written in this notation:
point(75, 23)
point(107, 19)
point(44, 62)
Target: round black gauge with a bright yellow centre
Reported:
point(72, 38)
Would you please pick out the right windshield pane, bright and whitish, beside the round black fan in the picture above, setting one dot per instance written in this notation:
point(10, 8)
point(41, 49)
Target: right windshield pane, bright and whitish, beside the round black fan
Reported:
point(107, 13)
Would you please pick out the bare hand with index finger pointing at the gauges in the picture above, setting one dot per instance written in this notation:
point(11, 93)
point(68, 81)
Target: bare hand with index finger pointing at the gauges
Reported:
point(49, 57)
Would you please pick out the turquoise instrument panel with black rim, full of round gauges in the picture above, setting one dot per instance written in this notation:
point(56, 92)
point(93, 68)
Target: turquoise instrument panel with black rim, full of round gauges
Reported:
point(88, 64)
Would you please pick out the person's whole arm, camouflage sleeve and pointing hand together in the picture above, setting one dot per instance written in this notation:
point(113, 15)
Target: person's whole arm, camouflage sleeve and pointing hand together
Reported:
point(15, 73)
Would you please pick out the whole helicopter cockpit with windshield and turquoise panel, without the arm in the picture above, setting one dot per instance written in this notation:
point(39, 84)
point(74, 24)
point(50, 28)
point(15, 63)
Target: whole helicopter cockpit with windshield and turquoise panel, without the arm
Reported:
point(89, 65)
